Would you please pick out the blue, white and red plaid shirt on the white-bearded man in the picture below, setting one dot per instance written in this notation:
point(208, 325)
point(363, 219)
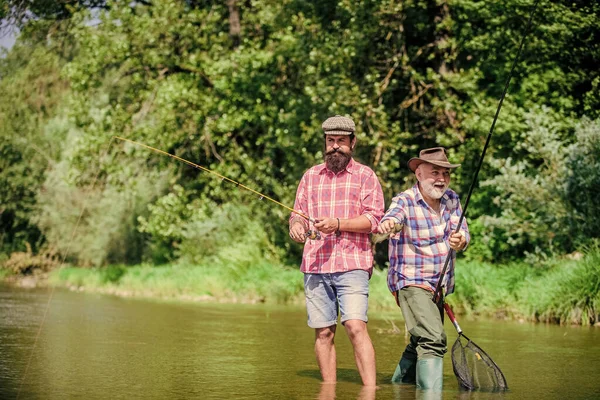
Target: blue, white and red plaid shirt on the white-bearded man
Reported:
point(418, 252)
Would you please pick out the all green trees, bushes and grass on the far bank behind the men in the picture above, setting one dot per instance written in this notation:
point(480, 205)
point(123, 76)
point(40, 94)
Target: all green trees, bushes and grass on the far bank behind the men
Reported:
point(242, 88)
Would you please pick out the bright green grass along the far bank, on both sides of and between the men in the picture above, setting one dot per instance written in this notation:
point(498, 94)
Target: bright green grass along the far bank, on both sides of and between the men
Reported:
point(565, 292)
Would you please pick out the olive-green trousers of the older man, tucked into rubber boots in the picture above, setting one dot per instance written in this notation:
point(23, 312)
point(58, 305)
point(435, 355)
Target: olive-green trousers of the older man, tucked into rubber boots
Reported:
point(424, 323)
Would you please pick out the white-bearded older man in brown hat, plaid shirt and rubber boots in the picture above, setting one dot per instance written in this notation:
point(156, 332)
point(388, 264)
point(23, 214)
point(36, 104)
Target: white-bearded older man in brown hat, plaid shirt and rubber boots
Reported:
point(422, 222)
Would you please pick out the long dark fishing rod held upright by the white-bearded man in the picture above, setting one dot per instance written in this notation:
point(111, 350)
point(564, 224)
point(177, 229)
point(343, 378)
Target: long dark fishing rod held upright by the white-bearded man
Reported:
point(438, 288)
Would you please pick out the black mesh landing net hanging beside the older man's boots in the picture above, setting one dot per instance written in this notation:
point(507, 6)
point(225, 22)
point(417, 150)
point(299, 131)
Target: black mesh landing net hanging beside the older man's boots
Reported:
point(474, 369)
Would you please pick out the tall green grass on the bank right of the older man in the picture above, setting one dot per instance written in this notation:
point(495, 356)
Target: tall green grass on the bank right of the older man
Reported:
point(561, 291)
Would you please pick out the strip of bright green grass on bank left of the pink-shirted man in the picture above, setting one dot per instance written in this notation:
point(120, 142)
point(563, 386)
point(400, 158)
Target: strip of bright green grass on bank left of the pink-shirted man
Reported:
point(262, 282)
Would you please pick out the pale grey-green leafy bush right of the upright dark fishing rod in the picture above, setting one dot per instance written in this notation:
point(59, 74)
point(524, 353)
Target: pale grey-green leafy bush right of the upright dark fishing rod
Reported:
point(532, 218)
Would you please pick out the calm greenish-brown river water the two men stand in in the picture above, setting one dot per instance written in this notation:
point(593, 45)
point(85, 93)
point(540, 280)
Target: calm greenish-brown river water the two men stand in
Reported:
point(103, 347)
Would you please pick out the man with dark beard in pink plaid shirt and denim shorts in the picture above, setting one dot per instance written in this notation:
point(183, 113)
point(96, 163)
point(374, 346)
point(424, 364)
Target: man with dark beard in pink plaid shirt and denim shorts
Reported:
point(345, 203)
